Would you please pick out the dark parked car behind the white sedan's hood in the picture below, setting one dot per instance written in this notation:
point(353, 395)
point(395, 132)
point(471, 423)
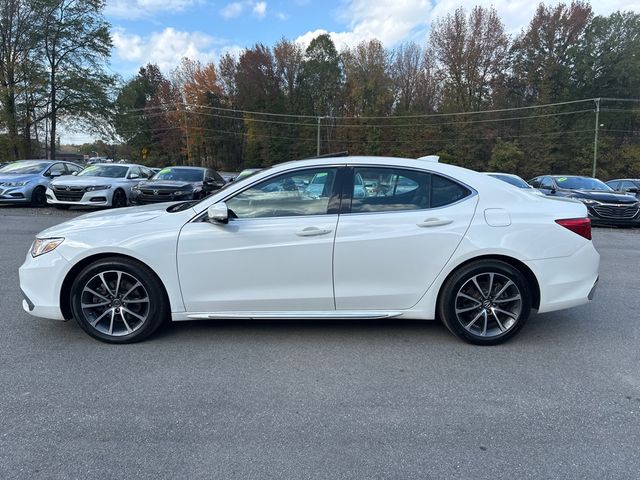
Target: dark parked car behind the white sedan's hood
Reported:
point(177, 183)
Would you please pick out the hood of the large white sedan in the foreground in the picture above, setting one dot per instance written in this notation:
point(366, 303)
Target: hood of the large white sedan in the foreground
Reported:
point(109, 218)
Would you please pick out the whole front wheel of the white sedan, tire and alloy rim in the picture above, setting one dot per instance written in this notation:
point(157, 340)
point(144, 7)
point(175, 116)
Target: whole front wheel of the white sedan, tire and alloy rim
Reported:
point(123, 290)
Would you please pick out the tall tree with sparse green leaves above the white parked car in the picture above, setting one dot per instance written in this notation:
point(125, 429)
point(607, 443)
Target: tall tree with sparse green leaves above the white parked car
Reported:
point(75, 43)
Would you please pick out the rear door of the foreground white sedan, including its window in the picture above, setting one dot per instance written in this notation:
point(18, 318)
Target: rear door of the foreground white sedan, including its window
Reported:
point(392, 241)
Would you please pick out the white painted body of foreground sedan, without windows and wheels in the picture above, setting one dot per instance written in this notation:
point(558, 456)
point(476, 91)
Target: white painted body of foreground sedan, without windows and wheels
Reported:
point(373, 265)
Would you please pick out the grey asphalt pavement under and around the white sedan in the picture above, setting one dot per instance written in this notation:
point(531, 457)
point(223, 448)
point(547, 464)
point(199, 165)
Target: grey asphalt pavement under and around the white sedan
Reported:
point(386, 399)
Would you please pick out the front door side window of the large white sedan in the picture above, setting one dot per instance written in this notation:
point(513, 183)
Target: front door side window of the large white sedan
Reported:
point(304, 192)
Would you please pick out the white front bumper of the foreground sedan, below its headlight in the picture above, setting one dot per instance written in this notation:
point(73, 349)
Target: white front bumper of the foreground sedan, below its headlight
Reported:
point(40, 282)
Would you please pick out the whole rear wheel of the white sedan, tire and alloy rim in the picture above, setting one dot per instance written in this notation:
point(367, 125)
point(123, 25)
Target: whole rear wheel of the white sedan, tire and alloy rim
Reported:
point(485, 302)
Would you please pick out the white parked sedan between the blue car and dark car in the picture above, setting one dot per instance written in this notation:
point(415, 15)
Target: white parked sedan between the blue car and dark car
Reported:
point(98, 185)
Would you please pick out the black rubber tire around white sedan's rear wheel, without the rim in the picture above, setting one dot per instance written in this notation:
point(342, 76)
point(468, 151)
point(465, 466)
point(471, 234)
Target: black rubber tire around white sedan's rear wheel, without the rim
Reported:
point(446, 305)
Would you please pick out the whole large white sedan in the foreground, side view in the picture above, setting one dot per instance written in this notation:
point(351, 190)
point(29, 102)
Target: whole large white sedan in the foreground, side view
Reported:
point(433, 241)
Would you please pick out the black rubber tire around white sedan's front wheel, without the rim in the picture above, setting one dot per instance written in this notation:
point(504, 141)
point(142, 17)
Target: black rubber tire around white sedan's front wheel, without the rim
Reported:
point(158, 309)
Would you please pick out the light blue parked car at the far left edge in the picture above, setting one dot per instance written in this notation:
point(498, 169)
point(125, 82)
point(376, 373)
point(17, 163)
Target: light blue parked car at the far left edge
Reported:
point(26, 181)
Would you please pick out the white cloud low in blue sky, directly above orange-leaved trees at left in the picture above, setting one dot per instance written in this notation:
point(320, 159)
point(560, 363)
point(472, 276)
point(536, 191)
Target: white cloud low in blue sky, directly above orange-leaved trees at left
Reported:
point(167, 47)
